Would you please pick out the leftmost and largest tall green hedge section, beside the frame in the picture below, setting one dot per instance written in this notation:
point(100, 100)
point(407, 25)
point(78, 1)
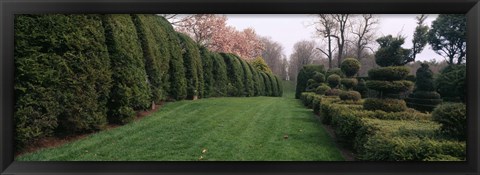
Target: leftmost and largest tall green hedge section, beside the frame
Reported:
point(62, 75)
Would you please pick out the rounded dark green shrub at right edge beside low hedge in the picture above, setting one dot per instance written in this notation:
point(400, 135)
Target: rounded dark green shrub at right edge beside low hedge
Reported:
point(453, 117)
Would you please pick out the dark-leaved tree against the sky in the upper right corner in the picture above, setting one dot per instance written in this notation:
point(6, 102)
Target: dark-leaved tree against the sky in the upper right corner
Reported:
point(448, 37)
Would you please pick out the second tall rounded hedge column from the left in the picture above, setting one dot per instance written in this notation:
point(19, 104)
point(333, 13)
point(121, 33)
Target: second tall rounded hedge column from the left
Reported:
point(130, 90)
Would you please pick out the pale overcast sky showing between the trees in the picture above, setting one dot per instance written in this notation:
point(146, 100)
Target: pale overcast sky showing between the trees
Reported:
point(287, 29)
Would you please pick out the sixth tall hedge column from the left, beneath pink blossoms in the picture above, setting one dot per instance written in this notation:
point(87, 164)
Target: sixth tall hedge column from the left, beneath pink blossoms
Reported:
point(207, 66)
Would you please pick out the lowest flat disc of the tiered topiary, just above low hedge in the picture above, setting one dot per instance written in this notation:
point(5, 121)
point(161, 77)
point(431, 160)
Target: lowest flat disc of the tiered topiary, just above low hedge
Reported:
point(387, 105)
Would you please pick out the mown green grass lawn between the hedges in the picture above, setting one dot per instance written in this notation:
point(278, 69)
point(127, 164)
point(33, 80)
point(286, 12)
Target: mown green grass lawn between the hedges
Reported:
point(251, 128)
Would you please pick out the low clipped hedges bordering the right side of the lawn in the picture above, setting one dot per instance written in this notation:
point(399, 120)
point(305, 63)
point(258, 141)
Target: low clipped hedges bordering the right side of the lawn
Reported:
point(397, 136)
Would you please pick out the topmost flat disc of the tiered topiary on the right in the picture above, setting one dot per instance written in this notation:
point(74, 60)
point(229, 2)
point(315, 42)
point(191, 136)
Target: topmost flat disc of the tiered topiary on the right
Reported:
point(389, 73)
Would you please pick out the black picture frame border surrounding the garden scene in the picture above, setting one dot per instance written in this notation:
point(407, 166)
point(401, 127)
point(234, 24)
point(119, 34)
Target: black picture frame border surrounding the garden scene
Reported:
point(8, 8)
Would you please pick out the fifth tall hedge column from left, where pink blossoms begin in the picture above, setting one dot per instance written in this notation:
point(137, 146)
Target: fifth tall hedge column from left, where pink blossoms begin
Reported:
point(193, 66)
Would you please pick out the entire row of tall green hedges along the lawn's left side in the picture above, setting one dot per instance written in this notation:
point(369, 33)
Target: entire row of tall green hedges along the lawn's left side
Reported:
point(76, 73)
